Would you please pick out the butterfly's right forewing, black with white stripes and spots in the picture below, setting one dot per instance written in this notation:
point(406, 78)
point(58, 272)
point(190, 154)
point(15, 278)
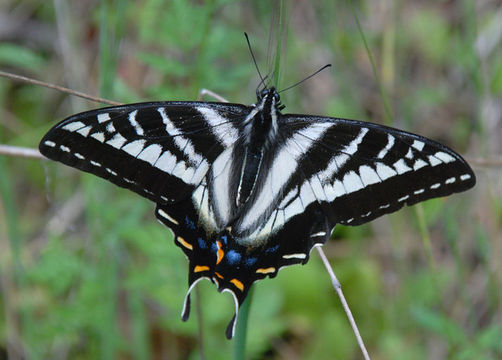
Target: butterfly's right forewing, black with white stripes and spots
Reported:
point(358, 171)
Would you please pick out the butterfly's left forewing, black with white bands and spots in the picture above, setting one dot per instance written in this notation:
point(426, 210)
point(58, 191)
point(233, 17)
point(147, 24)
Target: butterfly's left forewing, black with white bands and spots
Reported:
point(160, 150)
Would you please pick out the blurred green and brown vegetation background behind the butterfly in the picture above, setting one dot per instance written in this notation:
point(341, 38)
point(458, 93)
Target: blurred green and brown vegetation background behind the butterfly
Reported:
point(87, 273)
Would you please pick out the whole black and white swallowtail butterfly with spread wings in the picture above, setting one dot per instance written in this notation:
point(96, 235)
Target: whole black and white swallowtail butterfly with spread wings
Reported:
point(247, 190)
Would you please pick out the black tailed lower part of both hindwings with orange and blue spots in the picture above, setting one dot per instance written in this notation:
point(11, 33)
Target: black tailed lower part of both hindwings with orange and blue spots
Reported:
point(234, 267)
